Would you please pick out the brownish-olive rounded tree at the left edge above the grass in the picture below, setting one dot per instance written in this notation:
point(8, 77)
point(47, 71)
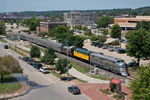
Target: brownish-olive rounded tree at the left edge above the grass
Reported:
point(8, 65)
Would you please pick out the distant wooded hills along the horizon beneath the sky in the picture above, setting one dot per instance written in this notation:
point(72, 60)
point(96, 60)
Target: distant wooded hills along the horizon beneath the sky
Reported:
point(110, 12)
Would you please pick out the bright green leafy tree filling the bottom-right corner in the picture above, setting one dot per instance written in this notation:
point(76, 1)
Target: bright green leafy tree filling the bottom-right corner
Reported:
point(140, 86)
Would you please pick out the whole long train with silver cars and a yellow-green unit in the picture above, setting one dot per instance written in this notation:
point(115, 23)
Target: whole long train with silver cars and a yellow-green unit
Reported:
point(115, 65)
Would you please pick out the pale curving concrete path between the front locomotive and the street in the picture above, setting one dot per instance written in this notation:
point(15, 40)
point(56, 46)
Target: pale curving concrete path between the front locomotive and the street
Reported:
point(82, 76)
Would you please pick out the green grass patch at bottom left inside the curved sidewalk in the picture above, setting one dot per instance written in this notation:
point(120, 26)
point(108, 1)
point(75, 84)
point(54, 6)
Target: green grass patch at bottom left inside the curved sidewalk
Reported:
point(8, 88)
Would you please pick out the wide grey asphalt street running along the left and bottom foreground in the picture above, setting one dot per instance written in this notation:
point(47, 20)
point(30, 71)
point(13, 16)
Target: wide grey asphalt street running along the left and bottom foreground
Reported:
point(44, 86)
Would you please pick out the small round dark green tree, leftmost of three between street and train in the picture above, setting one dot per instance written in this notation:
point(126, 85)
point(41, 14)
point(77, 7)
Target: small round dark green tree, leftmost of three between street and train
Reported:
point(35, 52)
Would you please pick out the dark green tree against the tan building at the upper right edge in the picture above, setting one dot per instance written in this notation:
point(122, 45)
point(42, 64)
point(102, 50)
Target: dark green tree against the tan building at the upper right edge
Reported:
point(143, 25)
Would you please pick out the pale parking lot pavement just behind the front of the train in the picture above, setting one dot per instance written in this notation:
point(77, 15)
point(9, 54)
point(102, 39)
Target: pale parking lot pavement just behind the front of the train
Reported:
point(114, 54)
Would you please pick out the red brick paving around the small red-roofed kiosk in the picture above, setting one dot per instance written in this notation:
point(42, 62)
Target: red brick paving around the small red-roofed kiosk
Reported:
point(92, 90)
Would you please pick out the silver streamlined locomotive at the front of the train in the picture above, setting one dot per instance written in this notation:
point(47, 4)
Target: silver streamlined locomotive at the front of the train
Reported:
point(115, 65)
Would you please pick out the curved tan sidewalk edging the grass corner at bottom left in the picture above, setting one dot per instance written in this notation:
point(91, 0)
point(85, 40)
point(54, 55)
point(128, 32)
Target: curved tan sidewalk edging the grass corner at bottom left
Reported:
point(16, 94)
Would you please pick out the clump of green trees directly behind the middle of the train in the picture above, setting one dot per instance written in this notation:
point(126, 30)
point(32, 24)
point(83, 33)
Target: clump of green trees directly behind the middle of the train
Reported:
point(66, 36)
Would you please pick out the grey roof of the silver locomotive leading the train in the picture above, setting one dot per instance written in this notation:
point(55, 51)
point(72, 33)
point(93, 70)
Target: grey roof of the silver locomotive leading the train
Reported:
point(107, 57)
